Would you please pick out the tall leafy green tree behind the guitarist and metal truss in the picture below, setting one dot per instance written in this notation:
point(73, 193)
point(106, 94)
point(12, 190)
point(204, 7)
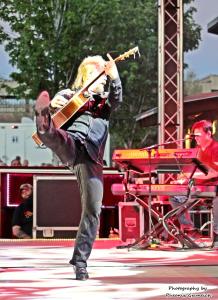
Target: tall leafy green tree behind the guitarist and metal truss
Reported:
point(51, 37)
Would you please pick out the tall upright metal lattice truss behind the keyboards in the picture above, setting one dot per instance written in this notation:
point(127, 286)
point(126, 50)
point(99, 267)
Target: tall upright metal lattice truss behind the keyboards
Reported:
point(170, 82)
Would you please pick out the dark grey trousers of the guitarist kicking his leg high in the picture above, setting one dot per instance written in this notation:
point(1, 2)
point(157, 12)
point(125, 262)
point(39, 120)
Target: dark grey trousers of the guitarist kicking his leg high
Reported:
point(90, 180)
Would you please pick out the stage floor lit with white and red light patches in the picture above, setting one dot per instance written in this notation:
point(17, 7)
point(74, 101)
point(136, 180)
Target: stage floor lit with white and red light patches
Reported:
point(39, 269)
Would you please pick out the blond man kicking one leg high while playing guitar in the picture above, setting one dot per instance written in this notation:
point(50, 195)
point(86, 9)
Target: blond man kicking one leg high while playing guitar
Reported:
point(81, 141)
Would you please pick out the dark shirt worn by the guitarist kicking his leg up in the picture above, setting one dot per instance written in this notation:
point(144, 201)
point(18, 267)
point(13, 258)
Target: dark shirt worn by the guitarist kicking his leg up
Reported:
point(91, 126)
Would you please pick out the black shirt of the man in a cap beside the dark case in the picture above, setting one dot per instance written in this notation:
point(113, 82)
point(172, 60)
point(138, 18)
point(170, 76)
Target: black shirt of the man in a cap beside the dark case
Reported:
point(23, 216)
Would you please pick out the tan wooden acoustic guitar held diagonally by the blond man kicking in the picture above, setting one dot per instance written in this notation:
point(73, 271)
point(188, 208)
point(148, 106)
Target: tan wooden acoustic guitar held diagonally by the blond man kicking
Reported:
point(78, 100)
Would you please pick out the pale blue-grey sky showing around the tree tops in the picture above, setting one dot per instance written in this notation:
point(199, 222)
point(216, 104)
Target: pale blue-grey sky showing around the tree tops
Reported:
point(203, 61)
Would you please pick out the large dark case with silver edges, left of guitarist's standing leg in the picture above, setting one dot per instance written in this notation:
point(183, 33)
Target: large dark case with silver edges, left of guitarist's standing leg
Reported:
point(56, 206)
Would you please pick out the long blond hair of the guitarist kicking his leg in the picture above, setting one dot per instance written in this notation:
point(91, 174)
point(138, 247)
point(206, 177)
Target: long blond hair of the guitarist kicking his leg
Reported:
point(82, 74)
